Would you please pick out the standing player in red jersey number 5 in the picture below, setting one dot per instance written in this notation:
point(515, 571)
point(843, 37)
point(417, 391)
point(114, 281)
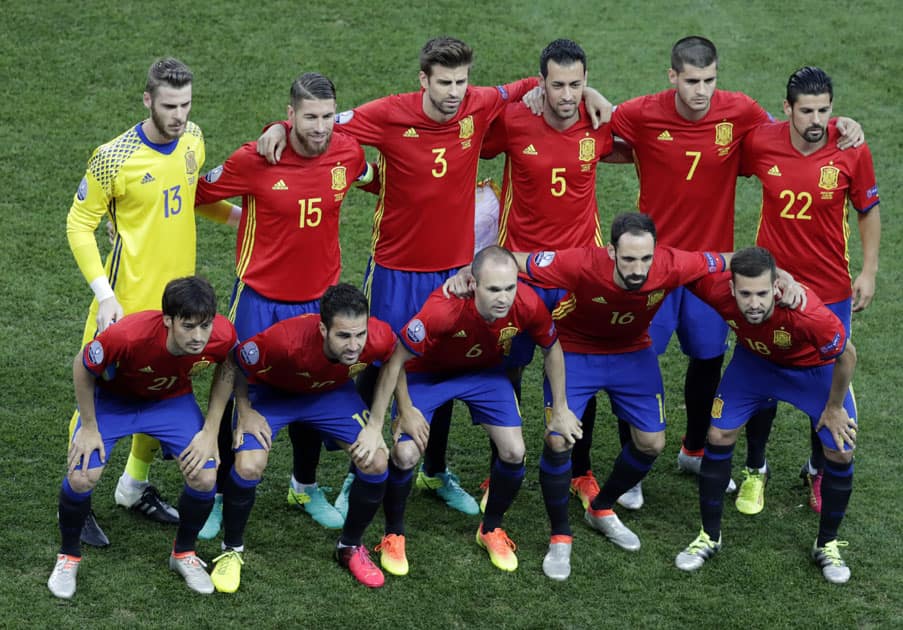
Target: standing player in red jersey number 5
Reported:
point(549, 199)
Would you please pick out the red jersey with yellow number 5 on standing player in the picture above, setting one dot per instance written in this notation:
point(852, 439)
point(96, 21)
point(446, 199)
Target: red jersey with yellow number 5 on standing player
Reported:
point(549, 189)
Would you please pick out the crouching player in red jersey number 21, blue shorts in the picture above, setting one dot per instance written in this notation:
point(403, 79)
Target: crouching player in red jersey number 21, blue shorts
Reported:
point(136, 376)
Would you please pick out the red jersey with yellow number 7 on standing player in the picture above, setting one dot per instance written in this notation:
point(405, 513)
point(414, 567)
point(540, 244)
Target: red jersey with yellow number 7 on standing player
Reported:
point(688, 169)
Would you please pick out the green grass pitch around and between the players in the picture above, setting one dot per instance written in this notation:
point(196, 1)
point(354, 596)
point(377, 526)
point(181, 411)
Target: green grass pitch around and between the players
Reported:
point(73, 74)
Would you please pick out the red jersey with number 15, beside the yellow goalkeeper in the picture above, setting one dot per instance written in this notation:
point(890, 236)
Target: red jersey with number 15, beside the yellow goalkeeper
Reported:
point(290, 218)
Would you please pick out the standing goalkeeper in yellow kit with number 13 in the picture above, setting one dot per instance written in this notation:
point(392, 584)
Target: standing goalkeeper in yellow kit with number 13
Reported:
point(144, 182)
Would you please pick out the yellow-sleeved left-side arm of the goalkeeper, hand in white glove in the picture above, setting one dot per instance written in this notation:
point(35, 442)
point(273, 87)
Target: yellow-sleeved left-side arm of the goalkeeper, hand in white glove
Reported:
point(90, 204)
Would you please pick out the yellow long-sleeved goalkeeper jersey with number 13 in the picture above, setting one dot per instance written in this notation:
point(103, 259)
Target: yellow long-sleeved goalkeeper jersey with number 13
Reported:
point(147, 191)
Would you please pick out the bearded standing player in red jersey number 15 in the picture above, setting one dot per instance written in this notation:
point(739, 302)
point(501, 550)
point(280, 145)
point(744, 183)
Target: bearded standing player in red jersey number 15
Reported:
point(290, 222)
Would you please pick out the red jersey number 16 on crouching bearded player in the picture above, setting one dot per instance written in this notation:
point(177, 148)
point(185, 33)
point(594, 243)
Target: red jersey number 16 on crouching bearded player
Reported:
point(599, 317)
